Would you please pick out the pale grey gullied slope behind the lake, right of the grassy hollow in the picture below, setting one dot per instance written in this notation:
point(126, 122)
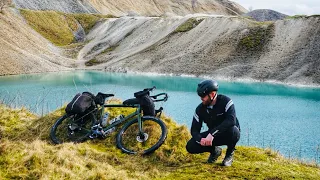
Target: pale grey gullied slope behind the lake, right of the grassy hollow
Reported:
point(223, 47)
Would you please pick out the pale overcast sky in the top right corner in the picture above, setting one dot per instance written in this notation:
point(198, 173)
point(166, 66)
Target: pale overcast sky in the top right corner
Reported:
point(289, 7)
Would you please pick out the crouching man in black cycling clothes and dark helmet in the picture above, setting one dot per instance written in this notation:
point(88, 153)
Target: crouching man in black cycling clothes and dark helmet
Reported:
point(218, 112)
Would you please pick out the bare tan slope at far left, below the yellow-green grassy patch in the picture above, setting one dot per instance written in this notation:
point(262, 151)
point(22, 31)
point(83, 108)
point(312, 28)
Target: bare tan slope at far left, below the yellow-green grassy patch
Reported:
point(23, 50)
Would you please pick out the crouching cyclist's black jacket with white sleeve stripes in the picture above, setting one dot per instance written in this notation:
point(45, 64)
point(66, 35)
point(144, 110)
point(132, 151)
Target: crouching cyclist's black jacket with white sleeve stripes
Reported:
point(218, 118)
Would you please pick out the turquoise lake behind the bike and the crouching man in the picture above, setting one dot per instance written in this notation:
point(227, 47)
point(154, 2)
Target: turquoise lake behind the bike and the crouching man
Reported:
point(284, 118)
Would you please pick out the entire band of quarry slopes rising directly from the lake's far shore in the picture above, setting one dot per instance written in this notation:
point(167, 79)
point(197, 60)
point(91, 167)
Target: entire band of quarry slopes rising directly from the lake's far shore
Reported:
point(224, 47)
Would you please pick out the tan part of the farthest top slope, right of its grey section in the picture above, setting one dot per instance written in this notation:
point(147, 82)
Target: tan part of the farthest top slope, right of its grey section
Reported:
point(159, 7)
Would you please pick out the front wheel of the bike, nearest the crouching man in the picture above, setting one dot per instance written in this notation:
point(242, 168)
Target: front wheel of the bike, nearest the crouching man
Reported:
point(131, 141)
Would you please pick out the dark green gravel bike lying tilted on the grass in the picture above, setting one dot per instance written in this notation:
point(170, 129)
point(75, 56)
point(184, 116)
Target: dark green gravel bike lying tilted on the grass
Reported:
point(143, 133)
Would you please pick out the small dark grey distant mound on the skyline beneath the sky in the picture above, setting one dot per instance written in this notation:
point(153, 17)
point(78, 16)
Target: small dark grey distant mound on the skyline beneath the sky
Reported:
point(265, 15)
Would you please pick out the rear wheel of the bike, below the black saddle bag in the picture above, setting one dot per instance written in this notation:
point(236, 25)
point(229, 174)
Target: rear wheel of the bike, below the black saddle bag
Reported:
point(71, 128)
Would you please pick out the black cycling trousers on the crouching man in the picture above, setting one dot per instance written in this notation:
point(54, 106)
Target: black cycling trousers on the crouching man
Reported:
point(229, 138)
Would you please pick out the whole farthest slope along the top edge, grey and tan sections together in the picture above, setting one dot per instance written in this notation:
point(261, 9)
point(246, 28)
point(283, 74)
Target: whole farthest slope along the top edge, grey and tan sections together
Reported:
point(141, 7)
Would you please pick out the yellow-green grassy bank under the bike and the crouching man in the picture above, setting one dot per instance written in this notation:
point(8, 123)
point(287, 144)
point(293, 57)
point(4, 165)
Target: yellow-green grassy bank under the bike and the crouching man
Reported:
point(27, 153)
